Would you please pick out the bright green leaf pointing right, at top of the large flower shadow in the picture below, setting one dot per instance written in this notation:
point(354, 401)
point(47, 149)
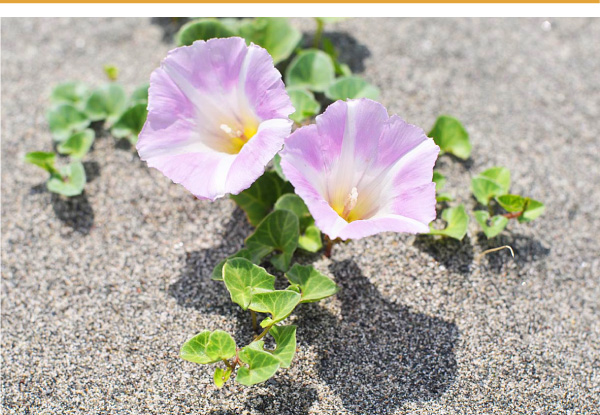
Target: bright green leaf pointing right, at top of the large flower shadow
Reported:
point(314, 286)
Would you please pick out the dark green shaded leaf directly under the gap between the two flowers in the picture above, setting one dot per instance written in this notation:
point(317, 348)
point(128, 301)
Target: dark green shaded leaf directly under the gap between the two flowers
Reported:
point(258, 200)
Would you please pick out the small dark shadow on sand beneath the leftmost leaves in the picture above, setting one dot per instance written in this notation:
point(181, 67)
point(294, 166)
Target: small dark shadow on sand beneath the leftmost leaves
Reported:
point(75, 212)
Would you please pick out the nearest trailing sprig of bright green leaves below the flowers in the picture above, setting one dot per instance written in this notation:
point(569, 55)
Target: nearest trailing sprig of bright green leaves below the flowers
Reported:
point(253, 288)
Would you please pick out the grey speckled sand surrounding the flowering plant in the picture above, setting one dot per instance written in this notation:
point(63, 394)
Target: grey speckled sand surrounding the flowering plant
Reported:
point(99, 293)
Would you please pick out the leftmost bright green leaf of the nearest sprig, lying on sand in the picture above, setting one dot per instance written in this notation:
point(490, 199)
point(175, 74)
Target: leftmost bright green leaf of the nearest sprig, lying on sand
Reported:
point(208, 347)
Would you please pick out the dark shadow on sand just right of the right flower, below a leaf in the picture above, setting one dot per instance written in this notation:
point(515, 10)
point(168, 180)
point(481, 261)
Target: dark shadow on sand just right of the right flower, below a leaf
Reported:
point(457, 256)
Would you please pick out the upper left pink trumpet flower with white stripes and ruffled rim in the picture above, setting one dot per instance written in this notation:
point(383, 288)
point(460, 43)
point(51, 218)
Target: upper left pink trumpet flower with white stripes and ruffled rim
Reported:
point(217, 114)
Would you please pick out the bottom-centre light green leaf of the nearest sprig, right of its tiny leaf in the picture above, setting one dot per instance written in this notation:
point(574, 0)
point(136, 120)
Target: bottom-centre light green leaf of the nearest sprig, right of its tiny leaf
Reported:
point(261, 364)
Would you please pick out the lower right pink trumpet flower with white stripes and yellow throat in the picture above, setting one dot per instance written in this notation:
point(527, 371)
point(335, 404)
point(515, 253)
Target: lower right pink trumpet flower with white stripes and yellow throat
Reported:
point(361, 172)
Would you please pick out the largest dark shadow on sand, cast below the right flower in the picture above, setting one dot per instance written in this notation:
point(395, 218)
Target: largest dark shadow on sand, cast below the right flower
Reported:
point(379, 354)
